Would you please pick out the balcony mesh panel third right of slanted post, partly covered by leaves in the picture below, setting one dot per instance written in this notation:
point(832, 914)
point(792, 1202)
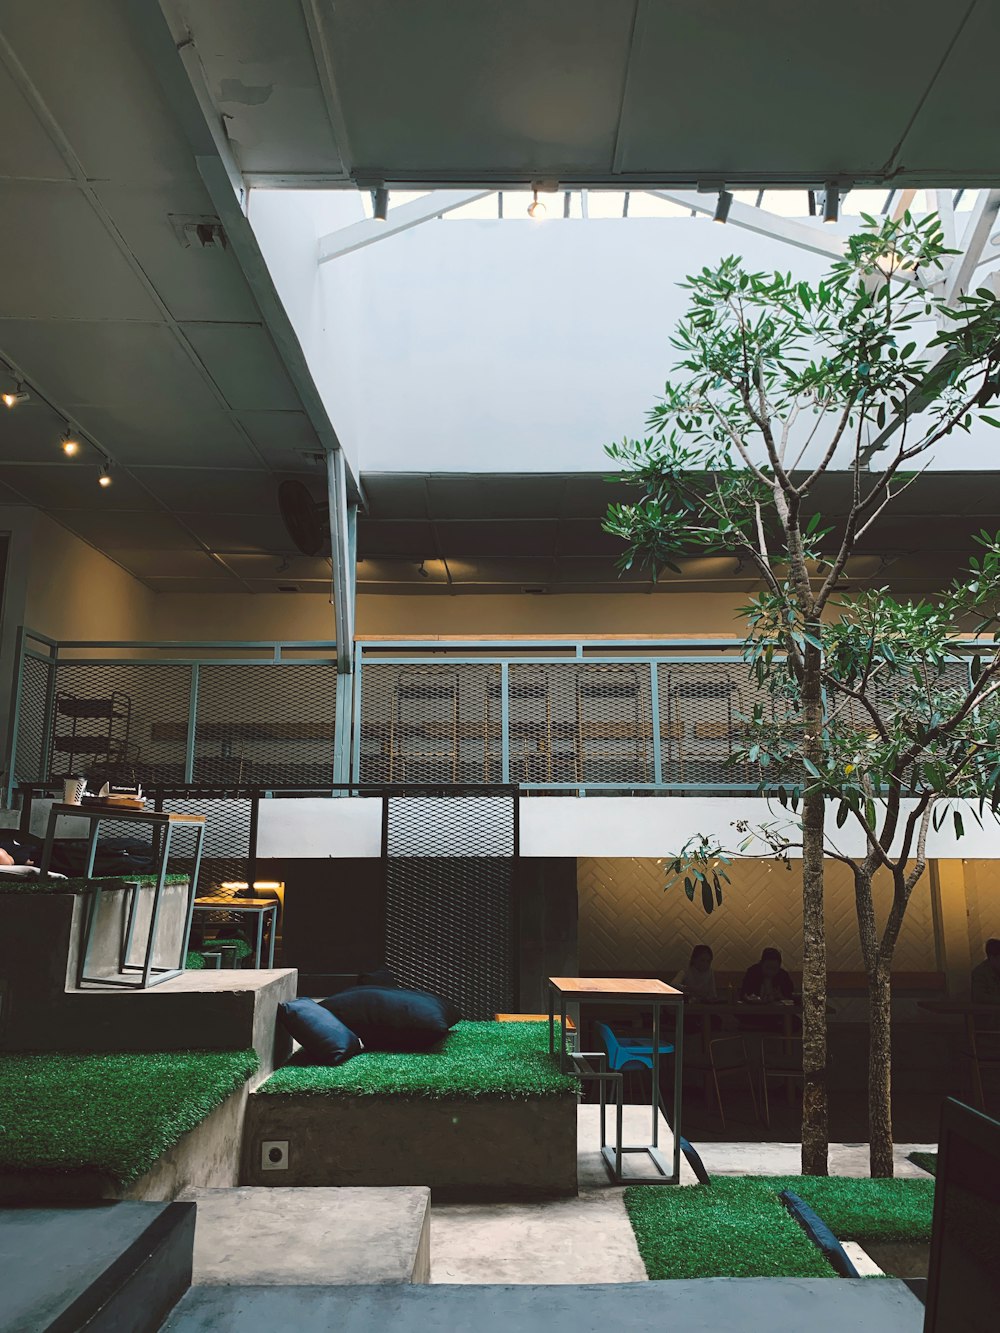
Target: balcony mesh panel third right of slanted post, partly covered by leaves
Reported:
point(703, 707)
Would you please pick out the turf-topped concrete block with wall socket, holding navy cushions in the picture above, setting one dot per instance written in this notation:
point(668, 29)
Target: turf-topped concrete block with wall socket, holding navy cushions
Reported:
point(485, 1115)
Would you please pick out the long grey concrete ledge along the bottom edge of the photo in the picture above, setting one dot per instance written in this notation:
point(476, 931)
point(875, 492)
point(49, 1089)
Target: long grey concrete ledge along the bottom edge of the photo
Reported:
point(713, 1306)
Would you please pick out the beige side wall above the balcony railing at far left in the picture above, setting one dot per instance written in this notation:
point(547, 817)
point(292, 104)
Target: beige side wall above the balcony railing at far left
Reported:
point(75, 593)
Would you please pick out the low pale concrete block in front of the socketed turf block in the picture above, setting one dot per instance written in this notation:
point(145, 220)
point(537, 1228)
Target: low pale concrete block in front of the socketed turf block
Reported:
point(311, 1238)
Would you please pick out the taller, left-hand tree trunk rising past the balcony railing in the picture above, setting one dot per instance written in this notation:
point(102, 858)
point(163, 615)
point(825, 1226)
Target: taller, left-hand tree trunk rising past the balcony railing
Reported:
point(815, 1115)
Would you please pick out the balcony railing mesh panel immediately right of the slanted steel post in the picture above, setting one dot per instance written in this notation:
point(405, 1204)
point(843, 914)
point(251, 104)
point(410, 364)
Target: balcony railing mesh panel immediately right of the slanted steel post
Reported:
point(430, 724)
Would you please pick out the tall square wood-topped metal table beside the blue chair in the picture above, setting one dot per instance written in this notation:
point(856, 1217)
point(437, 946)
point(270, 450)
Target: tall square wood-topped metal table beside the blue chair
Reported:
point(646, 992)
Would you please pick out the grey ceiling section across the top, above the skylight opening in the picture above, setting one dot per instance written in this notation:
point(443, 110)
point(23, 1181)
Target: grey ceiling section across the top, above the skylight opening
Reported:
point(602, 93)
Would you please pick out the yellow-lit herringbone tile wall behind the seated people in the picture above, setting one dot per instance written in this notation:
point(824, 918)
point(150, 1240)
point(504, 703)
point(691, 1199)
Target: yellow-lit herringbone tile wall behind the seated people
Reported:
point(629, 922)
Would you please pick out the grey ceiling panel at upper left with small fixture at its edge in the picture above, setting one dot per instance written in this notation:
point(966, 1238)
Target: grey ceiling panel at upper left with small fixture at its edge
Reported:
point(194, 282)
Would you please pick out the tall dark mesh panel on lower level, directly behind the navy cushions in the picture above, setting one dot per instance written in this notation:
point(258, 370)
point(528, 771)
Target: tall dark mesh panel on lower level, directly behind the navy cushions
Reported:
point(450, 899)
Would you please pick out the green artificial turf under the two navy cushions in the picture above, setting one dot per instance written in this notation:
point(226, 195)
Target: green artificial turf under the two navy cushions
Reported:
point(475, 1060)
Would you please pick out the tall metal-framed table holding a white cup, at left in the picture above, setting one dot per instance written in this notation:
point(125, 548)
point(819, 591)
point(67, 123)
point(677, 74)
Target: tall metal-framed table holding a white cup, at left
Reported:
point(162, 823)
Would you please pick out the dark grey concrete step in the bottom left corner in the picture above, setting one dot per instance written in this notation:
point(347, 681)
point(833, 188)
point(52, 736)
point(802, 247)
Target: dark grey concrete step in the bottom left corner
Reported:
point(113, 1268)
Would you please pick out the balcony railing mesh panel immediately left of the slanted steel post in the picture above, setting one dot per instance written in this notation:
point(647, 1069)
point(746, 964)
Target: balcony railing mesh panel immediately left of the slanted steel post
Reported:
point(267, 724)
